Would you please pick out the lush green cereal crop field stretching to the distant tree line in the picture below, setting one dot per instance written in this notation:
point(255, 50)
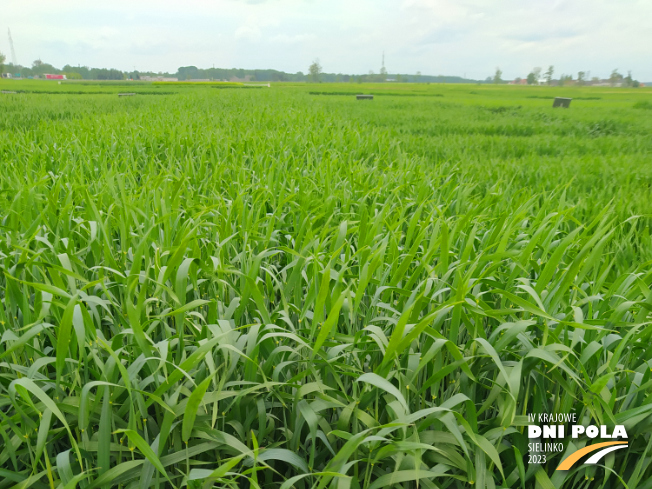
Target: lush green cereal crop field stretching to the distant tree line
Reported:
point(273, 288)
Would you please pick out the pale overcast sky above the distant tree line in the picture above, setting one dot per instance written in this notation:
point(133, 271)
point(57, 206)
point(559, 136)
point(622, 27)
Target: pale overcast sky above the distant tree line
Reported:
point(449, 37)
